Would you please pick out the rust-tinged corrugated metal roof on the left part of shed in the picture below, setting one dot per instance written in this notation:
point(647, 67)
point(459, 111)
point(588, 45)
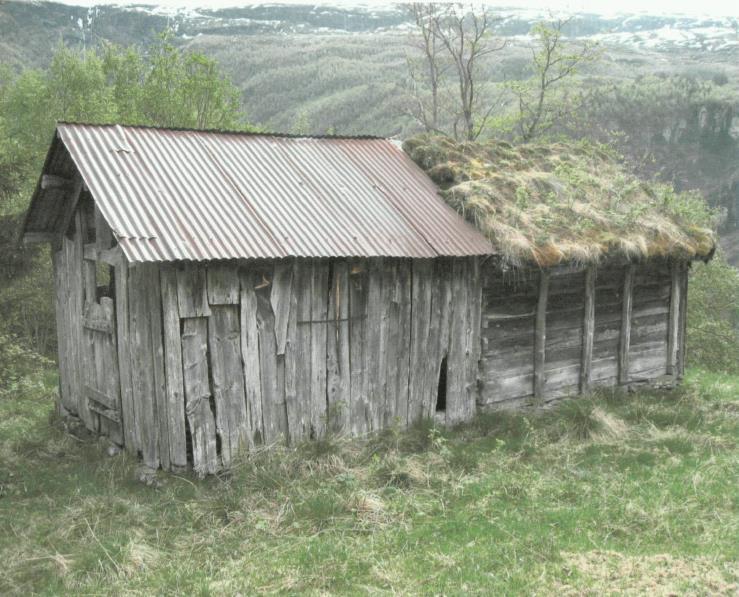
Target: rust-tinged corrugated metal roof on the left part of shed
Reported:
point(200, 195)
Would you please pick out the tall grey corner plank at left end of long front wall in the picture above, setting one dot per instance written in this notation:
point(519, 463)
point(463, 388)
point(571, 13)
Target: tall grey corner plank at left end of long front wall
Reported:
point(130, 433)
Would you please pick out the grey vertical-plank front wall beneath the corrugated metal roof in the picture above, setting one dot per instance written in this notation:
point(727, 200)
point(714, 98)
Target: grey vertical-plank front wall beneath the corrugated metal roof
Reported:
point(225, 357)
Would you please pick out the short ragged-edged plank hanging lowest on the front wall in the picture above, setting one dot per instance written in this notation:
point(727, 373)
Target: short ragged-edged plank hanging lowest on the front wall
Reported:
point(200, 418)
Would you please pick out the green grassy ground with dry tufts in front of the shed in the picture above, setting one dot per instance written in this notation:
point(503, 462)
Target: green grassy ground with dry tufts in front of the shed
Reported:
point(622, 493)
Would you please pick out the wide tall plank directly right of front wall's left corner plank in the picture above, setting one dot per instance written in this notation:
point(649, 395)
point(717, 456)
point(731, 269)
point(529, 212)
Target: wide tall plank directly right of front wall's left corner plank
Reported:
point(142, 362)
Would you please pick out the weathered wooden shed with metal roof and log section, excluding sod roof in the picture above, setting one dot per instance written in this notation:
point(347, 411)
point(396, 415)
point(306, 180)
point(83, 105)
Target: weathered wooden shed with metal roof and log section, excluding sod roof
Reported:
point(217, 291)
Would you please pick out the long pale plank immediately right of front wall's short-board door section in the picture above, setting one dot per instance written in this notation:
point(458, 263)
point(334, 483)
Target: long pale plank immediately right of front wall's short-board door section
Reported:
point(250, 355)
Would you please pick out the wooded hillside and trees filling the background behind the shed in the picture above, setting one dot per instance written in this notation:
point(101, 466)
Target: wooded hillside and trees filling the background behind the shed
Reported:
point(671, 121)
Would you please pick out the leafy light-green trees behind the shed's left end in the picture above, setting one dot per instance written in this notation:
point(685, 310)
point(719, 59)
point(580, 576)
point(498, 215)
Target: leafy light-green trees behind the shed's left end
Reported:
point(164, 87)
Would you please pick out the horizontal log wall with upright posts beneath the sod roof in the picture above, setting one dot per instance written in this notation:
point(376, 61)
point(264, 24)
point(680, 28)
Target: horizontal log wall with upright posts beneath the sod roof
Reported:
point(561, 332)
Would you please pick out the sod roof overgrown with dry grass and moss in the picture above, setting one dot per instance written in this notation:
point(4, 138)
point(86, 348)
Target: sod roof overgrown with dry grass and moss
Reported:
point(563, 202)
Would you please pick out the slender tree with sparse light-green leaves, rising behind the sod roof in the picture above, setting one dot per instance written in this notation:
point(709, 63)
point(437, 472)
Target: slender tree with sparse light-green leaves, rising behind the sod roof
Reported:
point(553, 60)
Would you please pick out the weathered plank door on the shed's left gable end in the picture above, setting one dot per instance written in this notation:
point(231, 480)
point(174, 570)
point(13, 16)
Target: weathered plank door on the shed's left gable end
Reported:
point(101, 381)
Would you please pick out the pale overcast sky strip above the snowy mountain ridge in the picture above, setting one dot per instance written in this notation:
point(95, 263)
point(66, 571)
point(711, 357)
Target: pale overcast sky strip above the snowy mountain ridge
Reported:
point(691, 7)
